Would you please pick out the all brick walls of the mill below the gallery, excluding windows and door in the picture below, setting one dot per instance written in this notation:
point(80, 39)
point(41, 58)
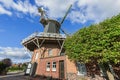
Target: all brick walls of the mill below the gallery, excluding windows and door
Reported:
point(43, 58)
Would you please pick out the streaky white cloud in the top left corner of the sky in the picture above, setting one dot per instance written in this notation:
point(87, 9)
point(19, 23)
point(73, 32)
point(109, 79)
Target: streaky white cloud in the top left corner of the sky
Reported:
point(24, 7)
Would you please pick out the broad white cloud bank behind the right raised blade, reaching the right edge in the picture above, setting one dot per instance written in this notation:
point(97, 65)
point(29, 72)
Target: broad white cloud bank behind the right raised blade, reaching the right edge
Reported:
point(82, 10)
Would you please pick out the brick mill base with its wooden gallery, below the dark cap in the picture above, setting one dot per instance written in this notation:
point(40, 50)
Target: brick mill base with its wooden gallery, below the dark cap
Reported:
point(49, 56)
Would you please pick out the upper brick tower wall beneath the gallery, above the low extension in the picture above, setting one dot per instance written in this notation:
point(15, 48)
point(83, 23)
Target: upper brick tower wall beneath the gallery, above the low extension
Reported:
point(43, 51)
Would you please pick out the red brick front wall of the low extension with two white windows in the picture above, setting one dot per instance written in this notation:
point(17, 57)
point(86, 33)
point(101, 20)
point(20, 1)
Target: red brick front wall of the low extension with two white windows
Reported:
point(42, 66)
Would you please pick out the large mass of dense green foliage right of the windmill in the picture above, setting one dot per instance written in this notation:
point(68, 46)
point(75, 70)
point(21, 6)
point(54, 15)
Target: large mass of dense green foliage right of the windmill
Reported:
point(98, 42)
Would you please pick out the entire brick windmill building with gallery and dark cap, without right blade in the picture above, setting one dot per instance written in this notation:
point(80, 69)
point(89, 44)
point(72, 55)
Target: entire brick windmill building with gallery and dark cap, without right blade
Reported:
point(48, 58)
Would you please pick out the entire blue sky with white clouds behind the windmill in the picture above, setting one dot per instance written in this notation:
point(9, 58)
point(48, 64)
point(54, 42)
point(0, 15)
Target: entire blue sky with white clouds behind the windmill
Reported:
point(20, 18)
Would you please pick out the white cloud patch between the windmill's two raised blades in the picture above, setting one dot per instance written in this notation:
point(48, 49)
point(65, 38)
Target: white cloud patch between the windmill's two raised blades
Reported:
point(56, 8)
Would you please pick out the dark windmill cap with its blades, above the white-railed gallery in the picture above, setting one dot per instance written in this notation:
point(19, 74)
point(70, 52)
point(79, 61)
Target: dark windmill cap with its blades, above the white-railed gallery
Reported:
point(50, 25)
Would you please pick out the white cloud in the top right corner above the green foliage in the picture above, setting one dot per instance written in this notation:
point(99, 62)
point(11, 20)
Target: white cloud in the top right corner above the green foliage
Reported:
point(98, 10)
